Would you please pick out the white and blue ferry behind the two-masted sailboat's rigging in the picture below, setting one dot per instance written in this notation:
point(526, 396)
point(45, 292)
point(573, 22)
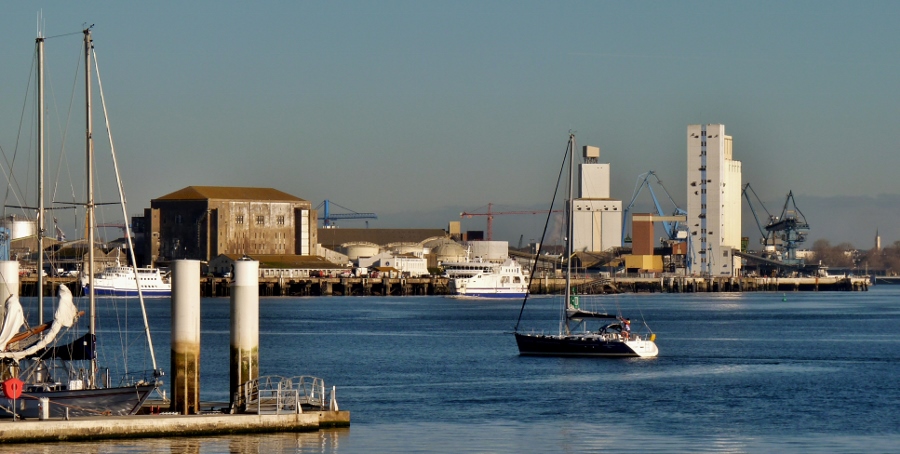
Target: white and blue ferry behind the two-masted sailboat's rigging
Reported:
point(120, 281)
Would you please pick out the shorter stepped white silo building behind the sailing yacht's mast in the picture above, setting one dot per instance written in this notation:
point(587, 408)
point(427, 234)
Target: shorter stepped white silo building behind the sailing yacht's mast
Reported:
point(597, 219)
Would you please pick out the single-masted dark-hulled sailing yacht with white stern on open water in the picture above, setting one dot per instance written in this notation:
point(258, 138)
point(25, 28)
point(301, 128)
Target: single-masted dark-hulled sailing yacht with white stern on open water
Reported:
point(582, 332)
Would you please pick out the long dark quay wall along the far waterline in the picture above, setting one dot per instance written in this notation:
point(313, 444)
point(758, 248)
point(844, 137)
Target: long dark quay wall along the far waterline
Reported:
point(365, 286)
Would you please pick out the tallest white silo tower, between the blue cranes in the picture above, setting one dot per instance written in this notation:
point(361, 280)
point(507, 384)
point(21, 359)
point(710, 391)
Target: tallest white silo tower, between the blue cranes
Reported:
point(714, 201)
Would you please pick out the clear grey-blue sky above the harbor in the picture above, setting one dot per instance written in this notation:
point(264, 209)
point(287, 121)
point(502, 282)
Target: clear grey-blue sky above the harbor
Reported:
point(417, 111)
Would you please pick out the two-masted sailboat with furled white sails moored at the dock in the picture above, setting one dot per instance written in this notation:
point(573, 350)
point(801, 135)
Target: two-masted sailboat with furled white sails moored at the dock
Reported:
point(65, 380)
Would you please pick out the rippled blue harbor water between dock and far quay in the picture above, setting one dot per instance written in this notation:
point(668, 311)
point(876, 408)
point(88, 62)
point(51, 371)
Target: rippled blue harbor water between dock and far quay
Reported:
point(747, 372)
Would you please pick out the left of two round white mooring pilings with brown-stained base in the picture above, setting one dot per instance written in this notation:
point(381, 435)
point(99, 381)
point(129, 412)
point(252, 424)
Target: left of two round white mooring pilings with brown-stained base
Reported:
point(186, 337)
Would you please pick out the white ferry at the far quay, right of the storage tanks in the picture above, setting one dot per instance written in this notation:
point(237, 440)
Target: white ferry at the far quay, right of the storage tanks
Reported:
point(482, 279)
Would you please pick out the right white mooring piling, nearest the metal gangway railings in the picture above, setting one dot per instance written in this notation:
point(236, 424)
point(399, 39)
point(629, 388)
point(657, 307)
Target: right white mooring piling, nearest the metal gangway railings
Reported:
point(244, 324)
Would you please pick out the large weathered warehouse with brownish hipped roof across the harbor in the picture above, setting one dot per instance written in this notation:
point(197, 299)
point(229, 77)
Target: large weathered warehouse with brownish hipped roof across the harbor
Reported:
point(202, 222)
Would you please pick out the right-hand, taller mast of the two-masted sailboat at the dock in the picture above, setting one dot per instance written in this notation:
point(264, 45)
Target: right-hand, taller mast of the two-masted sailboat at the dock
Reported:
point(89, 208)
